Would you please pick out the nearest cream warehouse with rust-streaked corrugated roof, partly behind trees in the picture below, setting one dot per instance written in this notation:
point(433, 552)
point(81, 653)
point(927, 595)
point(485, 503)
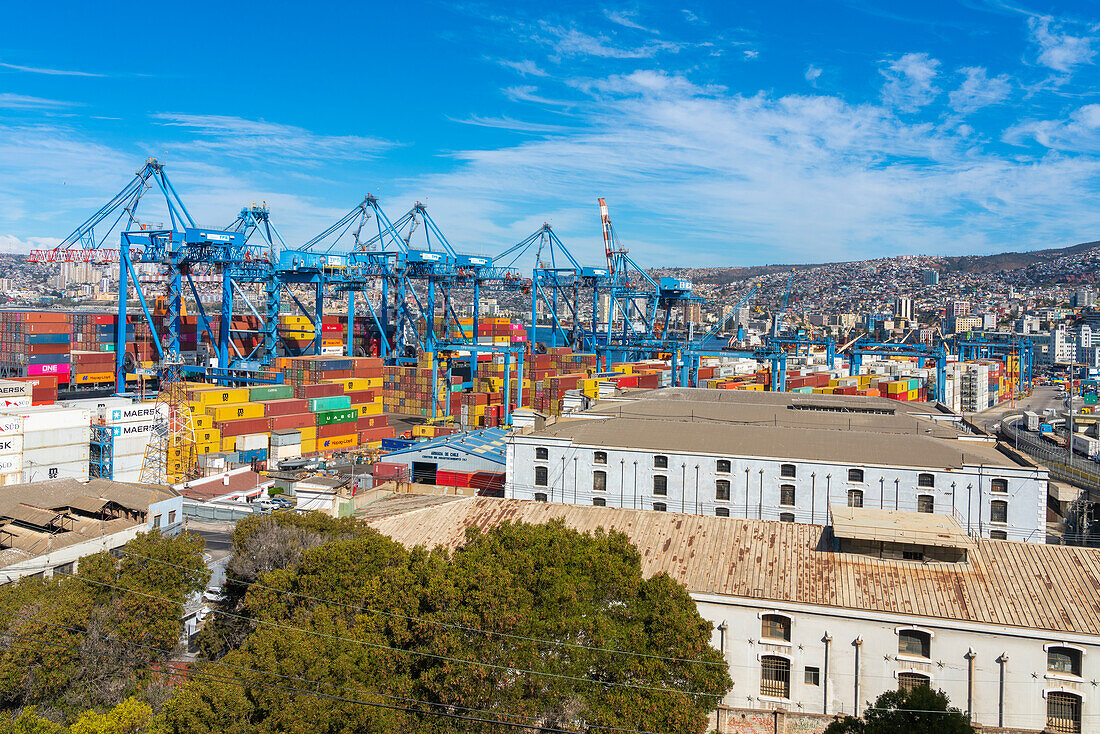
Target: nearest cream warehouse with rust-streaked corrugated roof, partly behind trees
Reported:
point(821, 621)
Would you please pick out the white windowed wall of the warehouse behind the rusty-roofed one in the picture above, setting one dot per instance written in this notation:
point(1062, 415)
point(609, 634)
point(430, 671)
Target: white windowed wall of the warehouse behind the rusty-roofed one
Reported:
point(755, 486)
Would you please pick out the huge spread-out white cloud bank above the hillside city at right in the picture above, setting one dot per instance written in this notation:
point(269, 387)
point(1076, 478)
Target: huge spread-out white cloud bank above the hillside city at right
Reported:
point(696, 177)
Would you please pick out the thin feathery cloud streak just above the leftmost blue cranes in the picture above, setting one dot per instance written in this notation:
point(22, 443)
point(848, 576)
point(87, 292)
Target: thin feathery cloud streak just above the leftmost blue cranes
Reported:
point(256, 139)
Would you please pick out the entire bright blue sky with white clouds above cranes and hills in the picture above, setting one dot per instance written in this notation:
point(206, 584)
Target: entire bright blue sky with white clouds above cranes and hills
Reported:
point(724, 134)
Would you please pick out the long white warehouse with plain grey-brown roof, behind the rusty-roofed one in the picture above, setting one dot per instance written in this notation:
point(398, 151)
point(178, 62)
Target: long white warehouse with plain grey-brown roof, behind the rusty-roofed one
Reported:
point(779, 456)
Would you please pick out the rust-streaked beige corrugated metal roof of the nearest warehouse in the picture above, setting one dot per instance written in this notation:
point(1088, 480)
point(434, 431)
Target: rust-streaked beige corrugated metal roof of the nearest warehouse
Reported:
point(1005, 584)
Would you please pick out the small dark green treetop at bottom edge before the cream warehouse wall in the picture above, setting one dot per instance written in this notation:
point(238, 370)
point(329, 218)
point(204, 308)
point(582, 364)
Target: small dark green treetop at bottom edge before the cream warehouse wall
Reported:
point(918, 711)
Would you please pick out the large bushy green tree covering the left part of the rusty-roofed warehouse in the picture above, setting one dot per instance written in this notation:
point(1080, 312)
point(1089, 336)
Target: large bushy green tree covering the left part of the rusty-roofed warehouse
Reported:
point(367, 618)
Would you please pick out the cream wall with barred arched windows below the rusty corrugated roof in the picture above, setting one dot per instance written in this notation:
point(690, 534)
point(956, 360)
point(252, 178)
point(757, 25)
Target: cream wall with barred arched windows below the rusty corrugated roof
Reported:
point(856, 673)
